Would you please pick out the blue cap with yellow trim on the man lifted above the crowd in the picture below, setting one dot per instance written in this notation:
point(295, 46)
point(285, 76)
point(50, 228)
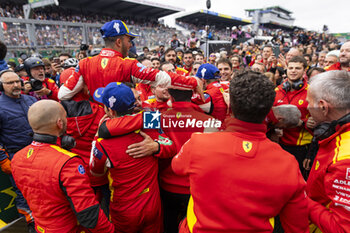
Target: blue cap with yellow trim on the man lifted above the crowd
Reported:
point(115, 28)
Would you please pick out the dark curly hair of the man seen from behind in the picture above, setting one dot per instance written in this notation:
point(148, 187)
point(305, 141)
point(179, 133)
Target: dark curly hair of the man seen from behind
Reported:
point(251, 96)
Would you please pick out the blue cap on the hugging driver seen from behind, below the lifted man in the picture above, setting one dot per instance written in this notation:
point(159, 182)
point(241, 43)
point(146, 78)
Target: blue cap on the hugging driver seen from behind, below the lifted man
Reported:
point(116, 96)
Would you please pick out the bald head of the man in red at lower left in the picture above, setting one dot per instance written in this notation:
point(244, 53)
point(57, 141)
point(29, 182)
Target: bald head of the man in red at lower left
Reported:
point(47, 117)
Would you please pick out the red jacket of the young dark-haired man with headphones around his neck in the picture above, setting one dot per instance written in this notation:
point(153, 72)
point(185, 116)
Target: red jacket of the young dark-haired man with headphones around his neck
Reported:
point(297, 136)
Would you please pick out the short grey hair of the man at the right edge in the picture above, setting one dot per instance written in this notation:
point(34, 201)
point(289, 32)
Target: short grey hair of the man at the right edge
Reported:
point(332, 87)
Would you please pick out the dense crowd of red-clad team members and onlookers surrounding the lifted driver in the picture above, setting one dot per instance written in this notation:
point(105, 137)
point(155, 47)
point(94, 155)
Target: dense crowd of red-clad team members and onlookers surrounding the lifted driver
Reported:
point(169, 140)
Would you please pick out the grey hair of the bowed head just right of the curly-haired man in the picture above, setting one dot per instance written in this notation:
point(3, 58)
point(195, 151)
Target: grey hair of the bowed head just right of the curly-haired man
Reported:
point(289, 112)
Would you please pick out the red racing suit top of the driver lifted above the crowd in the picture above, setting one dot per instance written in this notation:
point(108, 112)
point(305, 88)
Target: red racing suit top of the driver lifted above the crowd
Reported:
point(109, 66)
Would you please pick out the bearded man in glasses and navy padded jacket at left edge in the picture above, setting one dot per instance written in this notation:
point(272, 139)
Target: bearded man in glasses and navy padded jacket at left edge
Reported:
point(14, 132)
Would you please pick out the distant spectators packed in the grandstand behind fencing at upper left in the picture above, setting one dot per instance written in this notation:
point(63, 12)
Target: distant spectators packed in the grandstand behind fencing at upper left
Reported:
point(153, 33)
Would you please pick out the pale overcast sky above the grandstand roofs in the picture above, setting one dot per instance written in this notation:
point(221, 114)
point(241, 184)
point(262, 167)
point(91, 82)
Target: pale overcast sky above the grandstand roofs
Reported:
point(310, 14)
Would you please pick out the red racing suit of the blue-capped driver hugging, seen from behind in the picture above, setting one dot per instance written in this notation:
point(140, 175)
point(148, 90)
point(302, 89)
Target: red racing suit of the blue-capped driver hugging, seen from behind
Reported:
point(135, 200)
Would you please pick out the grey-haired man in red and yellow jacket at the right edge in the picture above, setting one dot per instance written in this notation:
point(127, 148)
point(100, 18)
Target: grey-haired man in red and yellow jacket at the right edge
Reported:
point(327, 185)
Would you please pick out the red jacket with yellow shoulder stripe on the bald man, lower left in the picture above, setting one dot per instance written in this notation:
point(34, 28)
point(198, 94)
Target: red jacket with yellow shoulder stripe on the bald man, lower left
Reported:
point(57, 189)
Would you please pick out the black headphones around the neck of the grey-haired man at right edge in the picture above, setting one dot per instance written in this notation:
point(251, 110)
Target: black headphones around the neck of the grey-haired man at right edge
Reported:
point(326, 129)
